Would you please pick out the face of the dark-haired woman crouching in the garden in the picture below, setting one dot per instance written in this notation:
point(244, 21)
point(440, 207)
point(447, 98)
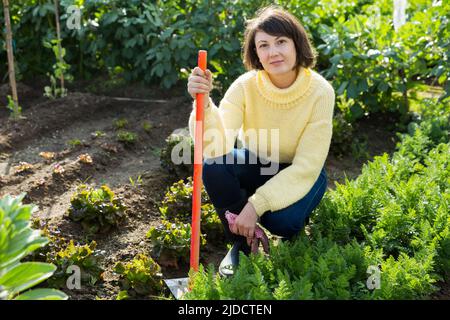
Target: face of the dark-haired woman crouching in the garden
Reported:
point(277, 54)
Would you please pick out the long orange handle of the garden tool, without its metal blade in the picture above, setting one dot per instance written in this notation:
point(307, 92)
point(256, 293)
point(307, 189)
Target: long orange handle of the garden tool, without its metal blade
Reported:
point(198, 166)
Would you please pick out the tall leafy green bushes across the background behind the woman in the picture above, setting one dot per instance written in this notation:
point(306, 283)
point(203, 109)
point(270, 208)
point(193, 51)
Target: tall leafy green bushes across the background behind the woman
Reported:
point(358, 48)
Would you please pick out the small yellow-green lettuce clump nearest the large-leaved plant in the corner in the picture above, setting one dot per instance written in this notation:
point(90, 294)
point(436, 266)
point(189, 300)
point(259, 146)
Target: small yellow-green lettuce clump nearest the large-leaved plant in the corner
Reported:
point(86, 257)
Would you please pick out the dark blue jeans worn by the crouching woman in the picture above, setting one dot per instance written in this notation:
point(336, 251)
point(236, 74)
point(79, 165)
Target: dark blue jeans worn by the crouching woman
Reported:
point(225, 182)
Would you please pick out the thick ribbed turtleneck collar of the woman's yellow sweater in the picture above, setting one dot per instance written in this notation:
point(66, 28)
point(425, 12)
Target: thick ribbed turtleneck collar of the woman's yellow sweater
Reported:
point(284, 98)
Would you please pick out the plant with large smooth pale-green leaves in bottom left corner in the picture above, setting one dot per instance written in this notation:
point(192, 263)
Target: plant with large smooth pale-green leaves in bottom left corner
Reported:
point(17, 240)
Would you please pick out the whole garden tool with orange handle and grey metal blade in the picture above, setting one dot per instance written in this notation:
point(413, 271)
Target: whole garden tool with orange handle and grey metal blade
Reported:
point(180, 286)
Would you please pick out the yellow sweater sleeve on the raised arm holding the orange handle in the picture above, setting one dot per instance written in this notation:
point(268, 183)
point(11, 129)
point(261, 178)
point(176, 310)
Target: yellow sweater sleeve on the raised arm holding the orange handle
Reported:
point(221, 124)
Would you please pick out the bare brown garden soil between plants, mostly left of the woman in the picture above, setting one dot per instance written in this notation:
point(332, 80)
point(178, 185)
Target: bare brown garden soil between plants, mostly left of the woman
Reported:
point(49, 126)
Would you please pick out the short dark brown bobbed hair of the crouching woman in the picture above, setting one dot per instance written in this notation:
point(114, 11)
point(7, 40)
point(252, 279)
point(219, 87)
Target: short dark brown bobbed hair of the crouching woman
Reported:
point(276, 21)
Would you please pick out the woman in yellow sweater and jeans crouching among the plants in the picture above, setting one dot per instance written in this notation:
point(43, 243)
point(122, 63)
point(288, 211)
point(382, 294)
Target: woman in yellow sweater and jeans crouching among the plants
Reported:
point(292, 106)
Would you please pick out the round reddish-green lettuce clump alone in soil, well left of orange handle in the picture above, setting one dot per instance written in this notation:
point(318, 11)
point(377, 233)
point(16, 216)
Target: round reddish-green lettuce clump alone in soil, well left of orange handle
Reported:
point(97, 209)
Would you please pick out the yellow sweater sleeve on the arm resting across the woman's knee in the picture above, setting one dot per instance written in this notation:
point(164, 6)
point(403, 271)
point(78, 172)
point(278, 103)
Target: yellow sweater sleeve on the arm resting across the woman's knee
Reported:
point(295, 181)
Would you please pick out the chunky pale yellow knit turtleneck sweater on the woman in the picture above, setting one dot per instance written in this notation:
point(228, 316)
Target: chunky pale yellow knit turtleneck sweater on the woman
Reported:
point(303, 115)
